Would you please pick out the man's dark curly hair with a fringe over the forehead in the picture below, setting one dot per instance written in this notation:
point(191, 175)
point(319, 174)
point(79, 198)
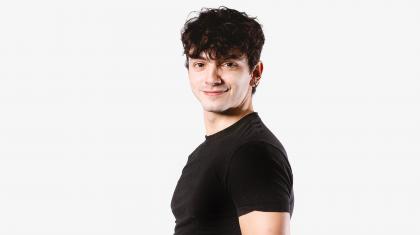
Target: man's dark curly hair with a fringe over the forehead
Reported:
point(223, 33)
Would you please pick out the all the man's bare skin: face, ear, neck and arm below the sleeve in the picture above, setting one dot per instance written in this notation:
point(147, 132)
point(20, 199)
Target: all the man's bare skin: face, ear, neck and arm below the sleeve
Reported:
point(234, 77)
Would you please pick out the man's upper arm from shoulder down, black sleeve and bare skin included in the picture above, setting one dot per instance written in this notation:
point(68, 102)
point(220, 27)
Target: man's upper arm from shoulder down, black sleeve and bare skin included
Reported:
point(260, 183)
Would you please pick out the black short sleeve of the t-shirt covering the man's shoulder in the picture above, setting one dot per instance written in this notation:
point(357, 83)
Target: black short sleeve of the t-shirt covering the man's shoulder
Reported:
point(259, 177)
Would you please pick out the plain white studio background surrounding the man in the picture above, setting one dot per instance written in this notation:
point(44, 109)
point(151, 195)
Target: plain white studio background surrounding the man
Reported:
point(97, 117)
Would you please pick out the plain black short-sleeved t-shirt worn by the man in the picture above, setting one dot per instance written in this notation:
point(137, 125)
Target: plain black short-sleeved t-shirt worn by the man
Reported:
point(239, 169)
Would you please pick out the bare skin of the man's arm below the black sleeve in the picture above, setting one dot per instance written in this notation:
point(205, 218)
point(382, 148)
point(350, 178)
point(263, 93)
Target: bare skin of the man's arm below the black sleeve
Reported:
point(265, 223)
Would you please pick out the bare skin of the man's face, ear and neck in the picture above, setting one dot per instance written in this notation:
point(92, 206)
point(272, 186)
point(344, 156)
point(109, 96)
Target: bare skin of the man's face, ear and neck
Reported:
point(232, 76)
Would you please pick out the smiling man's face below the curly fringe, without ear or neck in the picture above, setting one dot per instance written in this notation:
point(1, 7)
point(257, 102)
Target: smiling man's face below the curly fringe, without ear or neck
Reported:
point(220, 85)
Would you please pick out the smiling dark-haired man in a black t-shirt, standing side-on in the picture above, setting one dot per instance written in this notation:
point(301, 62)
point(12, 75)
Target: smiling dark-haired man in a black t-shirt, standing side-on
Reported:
point(238, 180)
